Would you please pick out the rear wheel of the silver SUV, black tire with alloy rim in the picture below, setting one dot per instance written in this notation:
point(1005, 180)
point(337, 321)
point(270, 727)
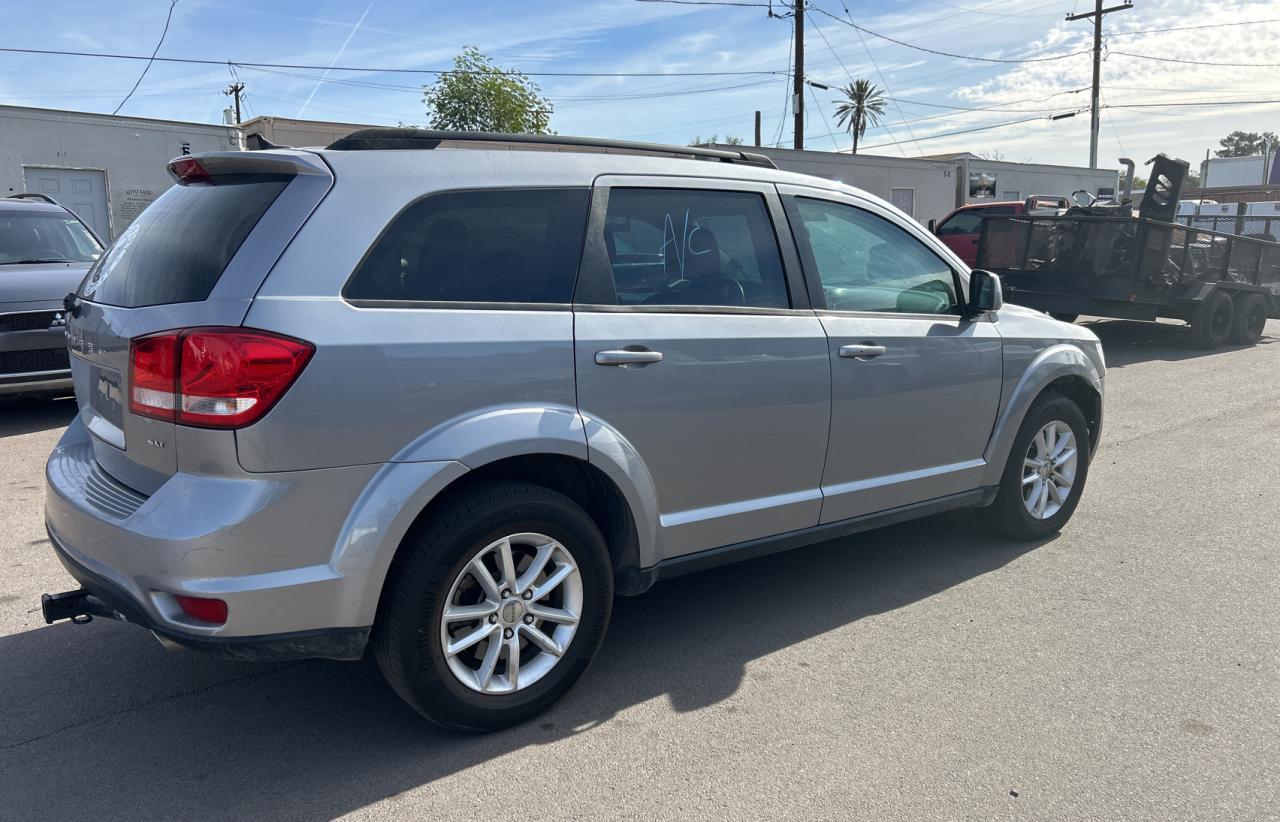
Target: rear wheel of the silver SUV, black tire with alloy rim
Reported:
point(497, 608)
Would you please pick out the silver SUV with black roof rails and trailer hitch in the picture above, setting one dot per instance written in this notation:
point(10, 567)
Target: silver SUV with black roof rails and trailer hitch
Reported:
point(447, 395)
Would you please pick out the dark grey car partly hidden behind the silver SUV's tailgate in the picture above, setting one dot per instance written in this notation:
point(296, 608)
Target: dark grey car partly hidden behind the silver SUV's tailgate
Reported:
point(45, 252)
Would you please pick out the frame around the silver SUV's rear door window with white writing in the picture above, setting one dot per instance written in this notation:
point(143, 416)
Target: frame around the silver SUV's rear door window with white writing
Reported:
point(596, 290)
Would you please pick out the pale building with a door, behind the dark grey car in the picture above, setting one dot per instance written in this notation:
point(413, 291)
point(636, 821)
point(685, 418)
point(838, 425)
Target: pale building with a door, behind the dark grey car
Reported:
point(103, 167)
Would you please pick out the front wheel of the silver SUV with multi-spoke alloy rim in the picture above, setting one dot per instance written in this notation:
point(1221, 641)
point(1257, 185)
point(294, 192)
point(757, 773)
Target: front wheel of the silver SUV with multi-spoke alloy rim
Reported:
point(1045, 474)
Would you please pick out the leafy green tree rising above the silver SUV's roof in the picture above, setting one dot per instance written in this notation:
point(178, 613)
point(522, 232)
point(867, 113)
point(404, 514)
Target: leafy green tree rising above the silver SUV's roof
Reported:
point(479, 97)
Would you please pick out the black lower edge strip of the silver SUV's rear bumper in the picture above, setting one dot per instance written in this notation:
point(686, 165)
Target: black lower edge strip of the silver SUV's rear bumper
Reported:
point(116, 602)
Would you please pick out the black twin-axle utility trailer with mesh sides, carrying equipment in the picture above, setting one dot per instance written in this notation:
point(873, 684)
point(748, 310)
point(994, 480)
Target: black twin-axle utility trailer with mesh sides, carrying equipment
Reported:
point(1224, 285)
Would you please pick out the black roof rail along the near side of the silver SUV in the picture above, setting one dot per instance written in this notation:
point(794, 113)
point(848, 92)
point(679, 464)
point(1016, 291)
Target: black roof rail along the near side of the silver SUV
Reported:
point(422, 139)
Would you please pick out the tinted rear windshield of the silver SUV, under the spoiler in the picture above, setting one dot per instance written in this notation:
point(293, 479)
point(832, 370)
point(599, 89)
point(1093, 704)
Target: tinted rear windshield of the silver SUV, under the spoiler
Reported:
point(181, 244)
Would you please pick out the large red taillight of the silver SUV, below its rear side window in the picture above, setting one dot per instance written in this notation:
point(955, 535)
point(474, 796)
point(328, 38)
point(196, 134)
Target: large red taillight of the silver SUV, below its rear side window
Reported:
point(213, 377)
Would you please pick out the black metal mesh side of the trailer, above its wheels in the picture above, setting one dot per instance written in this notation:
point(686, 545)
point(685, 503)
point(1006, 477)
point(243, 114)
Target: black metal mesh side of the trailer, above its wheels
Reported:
point(1153, 252)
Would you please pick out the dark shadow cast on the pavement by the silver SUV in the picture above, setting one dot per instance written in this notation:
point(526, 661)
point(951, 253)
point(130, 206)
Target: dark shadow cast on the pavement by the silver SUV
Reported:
point(99, 721)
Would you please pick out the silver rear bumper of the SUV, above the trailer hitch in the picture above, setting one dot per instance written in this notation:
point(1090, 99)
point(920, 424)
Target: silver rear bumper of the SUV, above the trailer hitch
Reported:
point(262, 544)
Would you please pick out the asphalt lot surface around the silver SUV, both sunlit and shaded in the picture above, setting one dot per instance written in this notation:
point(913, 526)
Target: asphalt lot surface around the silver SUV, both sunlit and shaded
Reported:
point(1128, 669)
